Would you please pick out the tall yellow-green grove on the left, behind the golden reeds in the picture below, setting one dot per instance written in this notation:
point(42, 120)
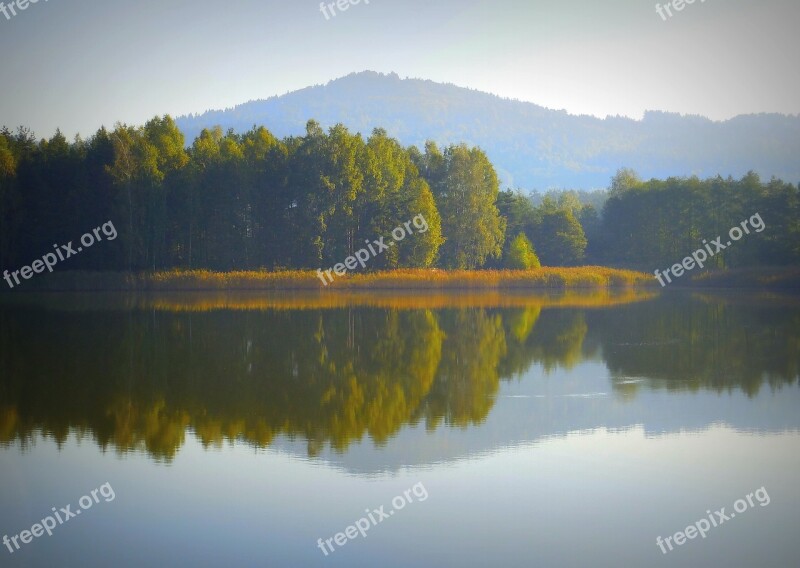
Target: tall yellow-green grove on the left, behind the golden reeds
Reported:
point(245, 201)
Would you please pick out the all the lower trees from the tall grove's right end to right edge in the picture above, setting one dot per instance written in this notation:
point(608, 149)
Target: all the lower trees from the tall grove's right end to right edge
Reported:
point(656, 223)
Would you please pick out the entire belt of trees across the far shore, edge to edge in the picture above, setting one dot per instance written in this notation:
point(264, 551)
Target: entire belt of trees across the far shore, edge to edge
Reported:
point(248, 201)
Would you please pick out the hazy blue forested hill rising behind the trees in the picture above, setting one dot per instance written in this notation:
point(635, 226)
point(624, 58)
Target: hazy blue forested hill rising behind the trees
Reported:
point(531, 147)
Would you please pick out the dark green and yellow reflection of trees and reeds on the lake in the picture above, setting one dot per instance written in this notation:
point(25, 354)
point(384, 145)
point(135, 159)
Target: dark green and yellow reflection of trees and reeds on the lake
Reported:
point(137, 373)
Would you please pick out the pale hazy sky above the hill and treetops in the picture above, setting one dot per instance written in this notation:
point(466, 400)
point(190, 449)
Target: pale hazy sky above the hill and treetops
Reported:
point(80, 64)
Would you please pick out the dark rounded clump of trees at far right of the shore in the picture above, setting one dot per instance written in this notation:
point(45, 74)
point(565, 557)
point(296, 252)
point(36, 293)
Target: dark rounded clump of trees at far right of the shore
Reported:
point(660, 222)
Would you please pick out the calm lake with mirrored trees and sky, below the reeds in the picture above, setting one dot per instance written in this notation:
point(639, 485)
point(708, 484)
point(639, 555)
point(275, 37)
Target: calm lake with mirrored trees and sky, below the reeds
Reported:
point(400, 429)
